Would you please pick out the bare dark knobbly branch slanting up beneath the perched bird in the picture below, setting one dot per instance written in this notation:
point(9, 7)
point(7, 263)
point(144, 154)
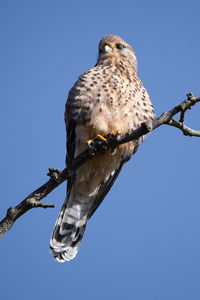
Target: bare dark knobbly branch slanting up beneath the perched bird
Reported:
point(57, 176)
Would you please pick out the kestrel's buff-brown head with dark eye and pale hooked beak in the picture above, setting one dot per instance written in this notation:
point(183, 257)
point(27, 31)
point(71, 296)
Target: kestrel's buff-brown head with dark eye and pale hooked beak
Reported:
point(114, 46)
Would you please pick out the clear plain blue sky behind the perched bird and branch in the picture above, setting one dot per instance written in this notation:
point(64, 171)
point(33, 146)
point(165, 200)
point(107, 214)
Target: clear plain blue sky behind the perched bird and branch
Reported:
point(144, 241)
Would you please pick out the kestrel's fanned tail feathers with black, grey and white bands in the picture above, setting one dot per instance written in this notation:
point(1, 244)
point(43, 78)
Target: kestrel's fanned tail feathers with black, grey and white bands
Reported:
point(69, 229)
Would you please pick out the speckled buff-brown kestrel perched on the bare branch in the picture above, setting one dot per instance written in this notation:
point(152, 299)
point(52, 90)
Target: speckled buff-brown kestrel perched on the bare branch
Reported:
point(108, 99)
